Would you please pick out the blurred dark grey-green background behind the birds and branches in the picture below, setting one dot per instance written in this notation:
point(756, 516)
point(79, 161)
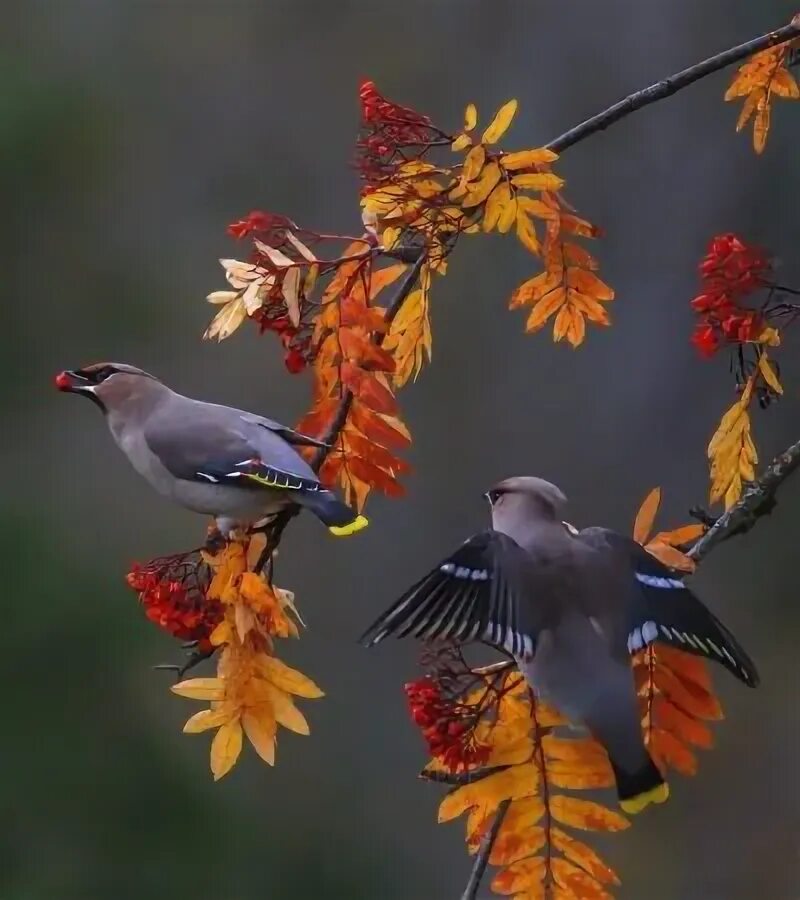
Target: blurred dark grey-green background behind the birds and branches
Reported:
point(130, 134)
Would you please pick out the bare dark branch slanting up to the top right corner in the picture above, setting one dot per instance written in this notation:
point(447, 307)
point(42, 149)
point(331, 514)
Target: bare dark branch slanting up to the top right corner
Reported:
point(669, 86)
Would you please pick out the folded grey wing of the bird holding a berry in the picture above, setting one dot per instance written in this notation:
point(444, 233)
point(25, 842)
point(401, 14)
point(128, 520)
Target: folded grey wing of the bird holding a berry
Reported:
point(218, 445)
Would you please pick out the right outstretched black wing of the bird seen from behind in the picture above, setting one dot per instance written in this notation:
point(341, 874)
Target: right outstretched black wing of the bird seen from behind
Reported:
point(662, 609)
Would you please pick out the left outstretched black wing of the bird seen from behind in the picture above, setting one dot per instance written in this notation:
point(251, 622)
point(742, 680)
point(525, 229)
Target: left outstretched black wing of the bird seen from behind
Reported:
point(473, 594)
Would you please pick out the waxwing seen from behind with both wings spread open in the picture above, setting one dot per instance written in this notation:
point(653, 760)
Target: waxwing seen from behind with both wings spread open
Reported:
point(571, 607)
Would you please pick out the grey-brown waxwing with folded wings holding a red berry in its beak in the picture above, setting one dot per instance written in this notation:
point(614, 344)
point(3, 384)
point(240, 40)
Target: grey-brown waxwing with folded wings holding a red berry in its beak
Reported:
point(233, 465)
